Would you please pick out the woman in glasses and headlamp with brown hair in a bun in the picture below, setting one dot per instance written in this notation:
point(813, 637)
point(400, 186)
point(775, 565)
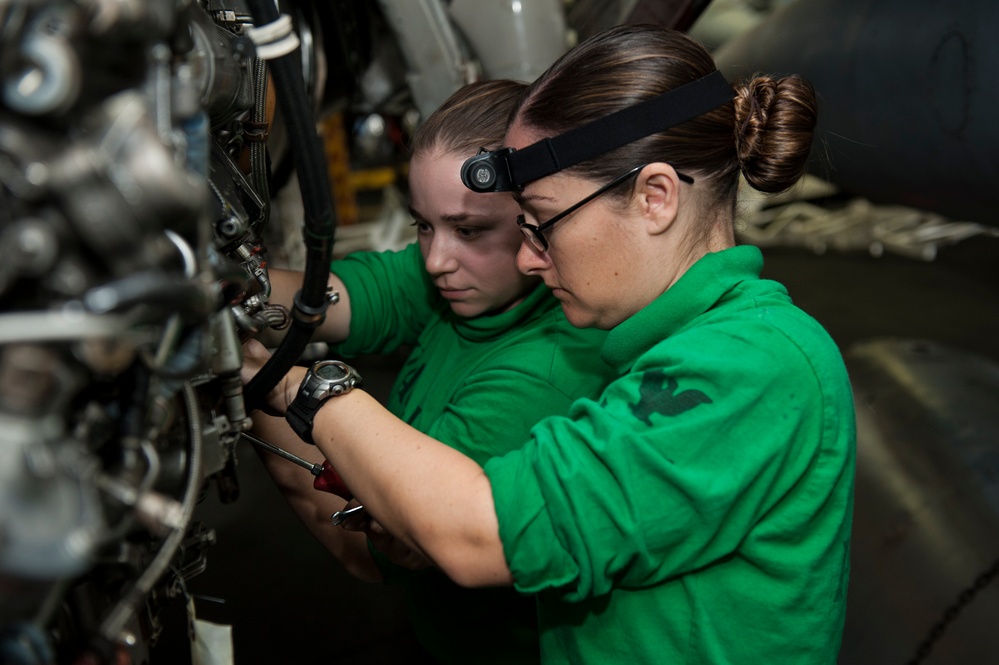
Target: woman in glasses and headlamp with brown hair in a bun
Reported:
point(699, 510)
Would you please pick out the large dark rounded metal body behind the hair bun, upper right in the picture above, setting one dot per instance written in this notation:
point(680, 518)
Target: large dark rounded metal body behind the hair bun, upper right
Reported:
point(906, 96)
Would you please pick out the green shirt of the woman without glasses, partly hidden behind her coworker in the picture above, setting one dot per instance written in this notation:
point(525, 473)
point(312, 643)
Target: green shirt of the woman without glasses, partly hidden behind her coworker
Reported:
point(477, 384)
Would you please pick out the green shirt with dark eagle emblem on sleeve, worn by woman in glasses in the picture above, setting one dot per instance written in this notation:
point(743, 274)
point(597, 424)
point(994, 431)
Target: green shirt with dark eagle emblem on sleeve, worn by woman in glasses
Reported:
point(699, 510)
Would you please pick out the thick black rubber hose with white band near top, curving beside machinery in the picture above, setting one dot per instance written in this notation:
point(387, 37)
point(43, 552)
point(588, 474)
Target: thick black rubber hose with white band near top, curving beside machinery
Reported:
point(319, 223)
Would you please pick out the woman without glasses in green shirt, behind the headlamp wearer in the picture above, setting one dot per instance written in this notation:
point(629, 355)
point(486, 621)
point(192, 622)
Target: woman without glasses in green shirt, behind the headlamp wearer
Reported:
point(485, 341)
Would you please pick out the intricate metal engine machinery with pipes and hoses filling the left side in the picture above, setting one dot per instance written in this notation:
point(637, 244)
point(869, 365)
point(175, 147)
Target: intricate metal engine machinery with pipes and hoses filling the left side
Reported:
point(139, 142)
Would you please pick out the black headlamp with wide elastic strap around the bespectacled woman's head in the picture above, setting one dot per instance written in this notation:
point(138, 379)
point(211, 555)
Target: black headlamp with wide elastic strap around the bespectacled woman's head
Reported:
point(509, 170)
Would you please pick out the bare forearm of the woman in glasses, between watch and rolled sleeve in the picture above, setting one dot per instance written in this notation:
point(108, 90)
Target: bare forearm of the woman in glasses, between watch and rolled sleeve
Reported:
point(428, 495)
